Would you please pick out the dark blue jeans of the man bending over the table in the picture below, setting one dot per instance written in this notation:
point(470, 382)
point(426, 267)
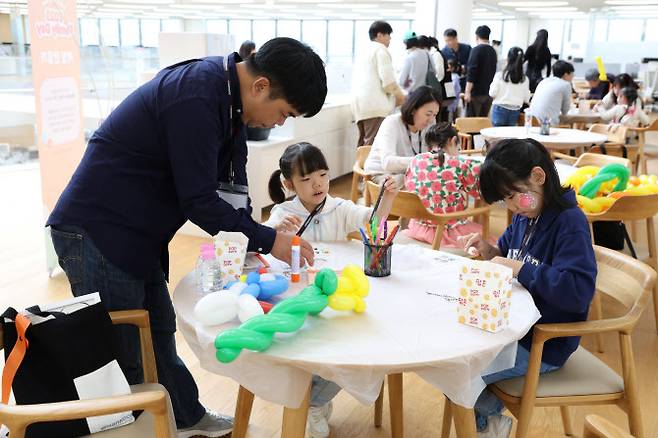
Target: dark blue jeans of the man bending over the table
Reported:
point(89, 271)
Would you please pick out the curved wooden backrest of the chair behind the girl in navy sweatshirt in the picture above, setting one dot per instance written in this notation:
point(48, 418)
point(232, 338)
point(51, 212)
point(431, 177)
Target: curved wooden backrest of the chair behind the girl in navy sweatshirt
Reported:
point(627, 280)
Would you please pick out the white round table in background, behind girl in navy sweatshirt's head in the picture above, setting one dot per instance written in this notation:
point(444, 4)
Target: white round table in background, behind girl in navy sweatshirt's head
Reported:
point(558, 139)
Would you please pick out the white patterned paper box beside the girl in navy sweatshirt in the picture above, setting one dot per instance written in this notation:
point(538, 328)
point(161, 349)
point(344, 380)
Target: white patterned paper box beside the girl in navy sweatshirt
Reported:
point(485, 295)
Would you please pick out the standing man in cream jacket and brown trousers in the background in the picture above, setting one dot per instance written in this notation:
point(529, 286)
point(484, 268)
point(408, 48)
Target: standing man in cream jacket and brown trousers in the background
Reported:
point(374, 90)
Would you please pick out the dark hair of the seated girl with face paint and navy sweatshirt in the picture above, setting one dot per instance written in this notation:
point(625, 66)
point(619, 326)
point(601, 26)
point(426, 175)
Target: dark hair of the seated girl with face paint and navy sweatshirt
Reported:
point(509, 163)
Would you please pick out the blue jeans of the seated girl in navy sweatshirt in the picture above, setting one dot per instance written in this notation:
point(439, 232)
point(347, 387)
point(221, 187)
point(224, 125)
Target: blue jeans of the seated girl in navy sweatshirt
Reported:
point(488, 404)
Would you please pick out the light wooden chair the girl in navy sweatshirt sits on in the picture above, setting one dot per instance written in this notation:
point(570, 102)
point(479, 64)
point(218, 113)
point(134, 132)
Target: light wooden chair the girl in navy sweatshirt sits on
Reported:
point(585, 379)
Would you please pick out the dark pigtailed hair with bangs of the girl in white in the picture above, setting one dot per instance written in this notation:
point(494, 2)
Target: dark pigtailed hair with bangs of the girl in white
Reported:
point(300, 158)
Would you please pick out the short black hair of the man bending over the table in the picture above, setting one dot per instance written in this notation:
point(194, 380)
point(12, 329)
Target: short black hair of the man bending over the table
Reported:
point(296, 74)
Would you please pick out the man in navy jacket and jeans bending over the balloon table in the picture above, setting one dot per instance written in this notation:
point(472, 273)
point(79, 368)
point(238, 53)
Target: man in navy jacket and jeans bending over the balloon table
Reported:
point(155, 163)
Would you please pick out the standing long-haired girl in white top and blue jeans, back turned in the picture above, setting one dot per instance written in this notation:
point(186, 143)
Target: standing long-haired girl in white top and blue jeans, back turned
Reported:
point(509, 89)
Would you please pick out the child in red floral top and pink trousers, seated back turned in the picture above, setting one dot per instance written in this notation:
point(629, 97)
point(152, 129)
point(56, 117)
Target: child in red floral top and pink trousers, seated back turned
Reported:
point(443, 181)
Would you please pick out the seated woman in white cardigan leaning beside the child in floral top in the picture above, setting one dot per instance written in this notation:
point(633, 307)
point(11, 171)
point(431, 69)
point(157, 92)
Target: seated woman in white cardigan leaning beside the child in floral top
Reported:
point(402, 136)
